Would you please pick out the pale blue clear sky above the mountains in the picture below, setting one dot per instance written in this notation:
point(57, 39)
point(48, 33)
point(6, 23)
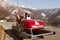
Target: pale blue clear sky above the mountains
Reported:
point(39, 4)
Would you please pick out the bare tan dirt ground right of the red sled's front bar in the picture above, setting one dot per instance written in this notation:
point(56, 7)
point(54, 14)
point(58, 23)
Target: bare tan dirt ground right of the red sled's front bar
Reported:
point(54, 37)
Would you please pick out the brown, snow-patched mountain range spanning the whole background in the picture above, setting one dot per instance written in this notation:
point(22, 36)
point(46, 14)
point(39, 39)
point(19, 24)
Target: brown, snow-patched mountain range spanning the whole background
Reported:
point(51, 14)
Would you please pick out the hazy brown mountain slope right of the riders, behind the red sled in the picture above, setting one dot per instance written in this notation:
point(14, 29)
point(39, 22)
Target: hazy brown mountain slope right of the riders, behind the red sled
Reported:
point(51, 15)
